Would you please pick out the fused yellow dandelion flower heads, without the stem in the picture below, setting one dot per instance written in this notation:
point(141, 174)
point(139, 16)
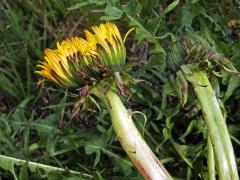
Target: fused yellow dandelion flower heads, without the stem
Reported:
point(77, 60)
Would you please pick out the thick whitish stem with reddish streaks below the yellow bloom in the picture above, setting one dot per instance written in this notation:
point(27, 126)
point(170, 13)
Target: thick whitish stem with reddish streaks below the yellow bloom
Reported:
point(132, 142)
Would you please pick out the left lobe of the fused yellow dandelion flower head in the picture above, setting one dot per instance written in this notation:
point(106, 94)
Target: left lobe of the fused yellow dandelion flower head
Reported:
point(62, 65)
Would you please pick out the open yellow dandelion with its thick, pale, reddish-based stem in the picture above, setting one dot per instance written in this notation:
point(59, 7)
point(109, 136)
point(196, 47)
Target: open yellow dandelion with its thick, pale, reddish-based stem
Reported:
point(94, 66)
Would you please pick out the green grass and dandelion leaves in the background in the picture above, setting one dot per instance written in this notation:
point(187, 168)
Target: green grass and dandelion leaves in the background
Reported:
point(36, 122)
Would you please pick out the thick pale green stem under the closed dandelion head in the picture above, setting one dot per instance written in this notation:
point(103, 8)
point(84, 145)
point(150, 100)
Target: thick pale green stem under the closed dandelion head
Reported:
point(217, 128)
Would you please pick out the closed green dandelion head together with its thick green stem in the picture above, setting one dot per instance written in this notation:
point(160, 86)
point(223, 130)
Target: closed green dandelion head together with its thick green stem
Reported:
point(192, 62)
